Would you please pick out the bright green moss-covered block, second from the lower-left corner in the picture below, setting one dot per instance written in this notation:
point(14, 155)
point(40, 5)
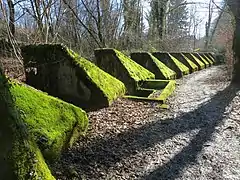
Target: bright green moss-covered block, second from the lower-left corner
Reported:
point(53, 123)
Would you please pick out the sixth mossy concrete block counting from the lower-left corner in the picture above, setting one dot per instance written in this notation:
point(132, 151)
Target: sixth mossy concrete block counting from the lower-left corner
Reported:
point(172, 63)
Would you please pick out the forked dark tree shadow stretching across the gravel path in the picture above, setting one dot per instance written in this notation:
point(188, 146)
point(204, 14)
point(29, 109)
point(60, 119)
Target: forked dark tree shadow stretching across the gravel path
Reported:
point(105, 153)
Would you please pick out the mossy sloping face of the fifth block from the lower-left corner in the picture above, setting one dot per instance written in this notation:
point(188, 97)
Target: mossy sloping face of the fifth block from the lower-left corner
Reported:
point(166, 71)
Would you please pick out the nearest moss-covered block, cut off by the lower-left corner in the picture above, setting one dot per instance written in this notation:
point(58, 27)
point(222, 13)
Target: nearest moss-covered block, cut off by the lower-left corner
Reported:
point(20, 157)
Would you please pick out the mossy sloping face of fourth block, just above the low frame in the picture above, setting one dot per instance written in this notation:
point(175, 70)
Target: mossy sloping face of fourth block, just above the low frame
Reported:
point(136, 71)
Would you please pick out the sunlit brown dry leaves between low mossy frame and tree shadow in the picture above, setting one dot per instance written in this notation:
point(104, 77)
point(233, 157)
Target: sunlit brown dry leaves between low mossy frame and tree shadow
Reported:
point(120, 116)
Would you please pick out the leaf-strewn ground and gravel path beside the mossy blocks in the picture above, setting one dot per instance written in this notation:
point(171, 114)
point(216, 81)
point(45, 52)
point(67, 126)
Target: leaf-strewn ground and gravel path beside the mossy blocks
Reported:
point(198, 137)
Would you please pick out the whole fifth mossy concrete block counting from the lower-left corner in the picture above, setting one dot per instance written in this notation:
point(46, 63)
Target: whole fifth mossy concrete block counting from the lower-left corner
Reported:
point(151, 63)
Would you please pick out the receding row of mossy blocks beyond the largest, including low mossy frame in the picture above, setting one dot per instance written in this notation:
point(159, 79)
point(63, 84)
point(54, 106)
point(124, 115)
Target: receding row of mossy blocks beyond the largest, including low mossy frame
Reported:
point(164, 65)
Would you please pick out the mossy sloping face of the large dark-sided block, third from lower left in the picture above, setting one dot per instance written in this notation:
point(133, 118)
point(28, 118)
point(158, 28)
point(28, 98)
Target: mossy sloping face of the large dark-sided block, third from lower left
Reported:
point(111, 87)
